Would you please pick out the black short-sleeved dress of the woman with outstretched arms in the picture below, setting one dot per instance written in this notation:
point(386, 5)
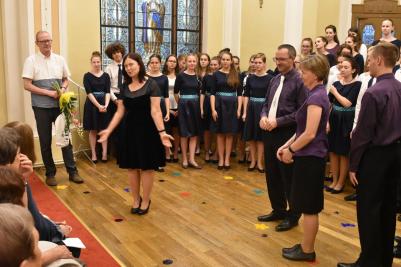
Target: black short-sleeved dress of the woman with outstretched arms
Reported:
point(141, 147)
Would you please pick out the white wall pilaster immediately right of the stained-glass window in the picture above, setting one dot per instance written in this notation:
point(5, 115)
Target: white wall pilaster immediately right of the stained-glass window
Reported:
point(232, 26)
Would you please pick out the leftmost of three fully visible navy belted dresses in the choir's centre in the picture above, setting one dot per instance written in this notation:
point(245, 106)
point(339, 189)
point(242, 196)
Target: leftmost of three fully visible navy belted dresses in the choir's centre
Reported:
point(189, 117)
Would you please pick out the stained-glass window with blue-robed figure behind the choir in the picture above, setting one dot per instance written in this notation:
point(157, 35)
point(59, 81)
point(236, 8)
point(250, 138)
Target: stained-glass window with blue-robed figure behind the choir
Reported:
point(152, 26)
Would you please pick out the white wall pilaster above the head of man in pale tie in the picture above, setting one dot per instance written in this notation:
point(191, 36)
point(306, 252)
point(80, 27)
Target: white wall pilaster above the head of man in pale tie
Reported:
point(293, 22)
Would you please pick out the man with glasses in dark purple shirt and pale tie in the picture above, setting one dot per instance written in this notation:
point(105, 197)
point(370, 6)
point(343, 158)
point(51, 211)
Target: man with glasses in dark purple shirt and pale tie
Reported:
point(286, 93)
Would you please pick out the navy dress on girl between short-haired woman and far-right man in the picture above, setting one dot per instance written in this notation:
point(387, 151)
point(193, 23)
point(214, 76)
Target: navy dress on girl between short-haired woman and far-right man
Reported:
point(342, 119)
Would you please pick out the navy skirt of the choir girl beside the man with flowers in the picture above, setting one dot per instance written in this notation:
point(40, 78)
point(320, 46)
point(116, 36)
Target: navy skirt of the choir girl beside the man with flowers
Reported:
point(93, 119)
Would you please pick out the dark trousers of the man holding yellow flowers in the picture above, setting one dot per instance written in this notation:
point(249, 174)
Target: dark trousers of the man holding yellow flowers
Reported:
point(45, 117)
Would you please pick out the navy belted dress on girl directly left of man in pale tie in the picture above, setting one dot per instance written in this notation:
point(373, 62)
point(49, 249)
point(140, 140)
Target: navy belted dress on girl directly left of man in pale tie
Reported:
point(255, 90)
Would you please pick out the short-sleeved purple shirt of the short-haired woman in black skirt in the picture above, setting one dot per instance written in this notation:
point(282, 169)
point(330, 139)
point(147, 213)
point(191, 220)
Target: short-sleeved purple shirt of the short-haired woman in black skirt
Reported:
point(319, 145)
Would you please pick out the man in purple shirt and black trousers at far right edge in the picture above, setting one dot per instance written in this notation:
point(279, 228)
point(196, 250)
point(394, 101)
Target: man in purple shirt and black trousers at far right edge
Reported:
point(375, 159)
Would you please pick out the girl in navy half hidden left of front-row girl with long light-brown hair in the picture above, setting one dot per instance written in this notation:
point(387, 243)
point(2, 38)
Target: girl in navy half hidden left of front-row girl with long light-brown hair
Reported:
point(205, 108)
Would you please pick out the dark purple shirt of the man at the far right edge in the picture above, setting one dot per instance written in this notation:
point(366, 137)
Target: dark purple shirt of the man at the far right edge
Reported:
point(379, 121)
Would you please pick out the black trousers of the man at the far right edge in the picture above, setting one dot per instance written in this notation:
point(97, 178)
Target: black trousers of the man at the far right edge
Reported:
point(378, 175)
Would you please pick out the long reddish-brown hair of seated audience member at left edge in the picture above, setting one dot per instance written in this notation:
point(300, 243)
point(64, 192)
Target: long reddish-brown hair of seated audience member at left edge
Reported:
point(26, 141)
